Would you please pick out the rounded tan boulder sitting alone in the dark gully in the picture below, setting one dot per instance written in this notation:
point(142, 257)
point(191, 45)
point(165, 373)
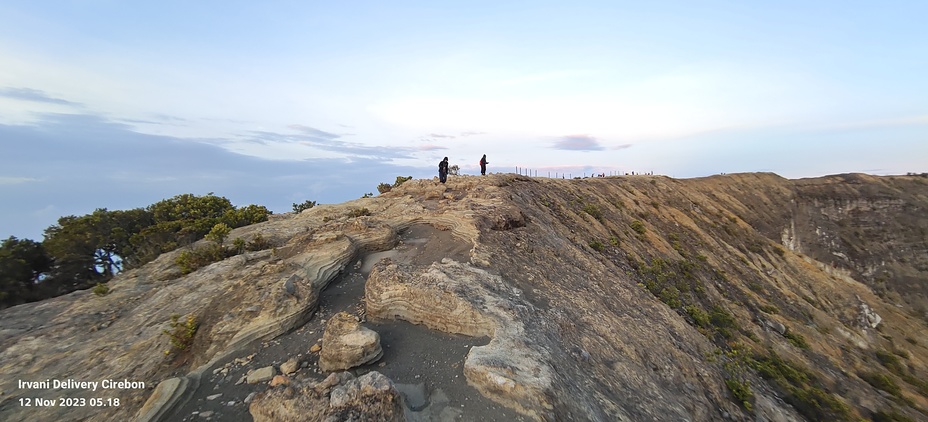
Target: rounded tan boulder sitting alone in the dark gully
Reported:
point(347, 344)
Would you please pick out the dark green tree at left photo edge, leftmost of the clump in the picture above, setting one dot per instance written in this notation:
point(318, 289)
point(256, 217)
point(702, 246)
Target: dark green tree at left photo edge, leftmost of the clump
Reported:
point(23, 264)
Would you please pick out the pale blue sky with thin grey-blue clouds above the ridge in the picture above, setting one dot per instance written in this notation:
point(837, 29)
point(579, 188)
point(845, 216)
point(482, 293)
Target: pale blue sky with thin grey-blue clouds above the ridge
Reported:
point(114, 104)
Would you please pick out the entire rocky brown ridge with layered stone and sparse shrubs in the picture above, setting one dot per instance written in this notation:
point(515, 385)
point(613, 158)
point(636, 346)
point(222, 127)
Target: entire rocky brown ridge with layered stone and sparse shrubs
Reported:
point(733, 297)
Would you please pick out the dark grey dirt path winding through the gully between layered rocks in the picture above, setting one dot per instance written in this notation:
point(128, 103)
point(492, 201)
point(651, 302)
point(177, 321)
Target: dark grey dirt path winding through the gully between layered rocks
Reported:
point(426, 365)
